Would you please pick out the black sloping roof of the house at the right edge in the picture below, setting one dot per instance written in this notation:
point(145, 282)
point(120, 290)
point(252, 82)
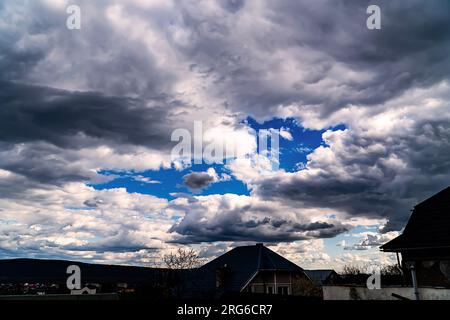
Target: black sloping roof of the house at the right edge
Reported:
point(428, 227)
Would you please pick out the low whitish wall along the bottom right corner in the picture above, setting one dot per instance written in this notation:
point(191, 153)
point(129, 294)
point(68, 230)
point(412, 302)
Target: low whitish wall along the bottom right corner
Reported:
point(344, 293)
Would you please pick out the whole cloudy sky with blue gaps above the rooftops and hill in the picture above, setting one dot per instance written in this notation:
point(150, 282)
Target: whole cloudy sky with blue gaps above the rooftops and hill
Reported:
point(86, 118)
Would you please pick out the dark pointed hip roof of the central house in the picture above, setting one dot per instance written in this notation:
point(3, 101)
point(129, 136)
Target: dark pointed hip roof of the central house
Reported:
point(243, 263)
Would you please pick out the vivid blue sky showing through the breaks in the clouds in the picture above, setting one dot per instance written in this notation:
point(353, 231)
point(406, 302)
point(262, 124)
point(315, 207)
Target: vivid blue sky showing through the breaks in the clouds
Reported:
point(164, 183)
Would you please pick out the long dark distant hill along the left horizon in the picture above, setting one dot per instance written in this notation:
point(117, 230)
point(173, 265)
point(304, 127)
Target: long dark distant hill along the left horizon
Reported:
point(34, 270)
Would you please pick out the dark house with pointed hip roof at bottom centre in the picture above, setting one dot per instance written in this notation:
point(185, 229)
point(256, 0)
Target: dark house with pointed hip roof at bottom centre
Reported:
point(249, 269)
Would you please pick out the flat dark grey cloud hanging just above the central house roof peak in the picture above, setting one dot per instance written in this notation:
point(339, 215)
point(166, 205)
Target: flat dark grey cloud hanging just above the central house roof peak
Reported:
point(206, 223)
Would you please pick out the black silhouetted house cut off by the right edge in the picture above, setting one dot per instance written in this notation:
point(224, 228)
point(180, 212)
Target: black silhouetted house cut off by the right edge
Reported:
point(424, 245)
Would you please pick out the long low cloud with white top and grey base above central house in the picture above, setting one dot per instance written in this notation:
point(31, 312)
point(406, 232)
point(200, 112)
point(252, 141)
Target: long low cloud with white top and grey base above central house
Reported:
point(241, 218)
